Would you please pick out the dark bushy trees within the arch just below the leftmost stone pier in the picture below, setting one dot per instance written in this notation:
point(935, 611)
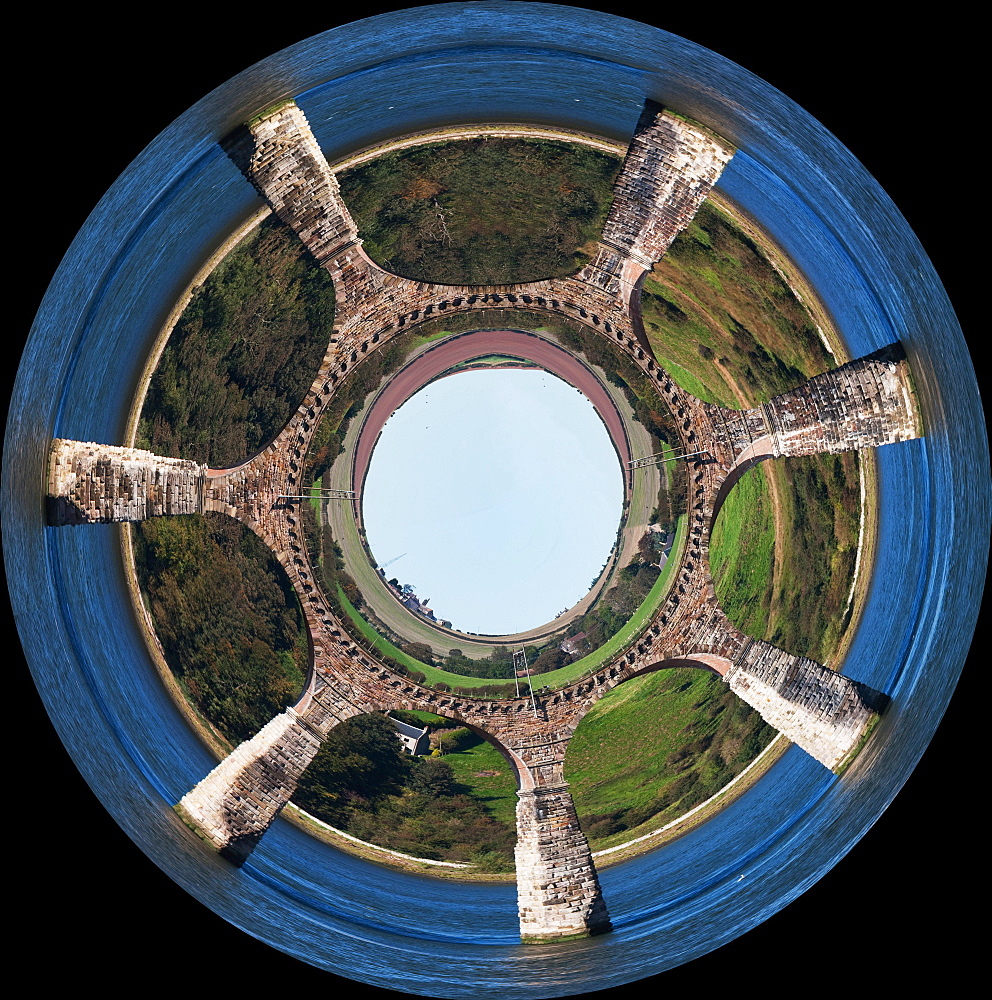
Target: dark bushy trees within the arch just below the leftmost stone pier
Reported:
point(227, 618)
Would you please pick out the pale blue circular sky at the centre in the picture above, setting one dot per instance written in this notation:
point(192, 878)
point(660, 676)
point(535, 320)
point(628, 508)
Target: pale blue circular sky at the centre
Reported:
point(505, 492)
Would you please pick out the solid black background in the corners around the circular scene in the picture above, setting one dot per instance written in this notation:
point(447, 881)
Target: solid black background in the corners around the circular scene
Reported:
point(88, 905)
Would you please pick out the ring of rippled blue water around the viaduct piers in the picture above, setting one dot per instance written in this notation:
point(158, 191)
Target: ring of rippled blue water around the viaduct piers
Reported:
point(173, 206)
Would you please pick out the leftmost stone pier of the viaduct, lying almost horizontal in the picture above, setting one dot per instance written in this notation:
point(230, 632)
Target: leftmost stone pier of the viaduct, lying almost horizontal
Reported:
point(95, 483)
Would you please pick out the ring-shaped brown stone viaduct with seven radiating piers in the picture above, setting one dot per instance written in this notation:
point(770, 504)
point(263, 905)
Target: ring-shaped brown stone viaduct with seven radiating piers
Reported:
point(668, 171)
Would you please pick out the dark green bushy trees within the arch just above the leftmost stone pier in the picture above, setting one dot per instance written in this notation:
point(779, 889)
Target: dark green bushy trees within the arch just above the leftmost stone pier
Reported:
point(243, 353)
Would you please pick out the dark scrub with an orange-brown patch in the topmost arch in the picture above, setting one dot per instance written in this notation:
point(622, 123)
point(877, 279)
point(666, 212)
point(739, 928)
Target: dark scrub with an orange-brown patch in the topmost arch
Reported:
point(482, 211)
